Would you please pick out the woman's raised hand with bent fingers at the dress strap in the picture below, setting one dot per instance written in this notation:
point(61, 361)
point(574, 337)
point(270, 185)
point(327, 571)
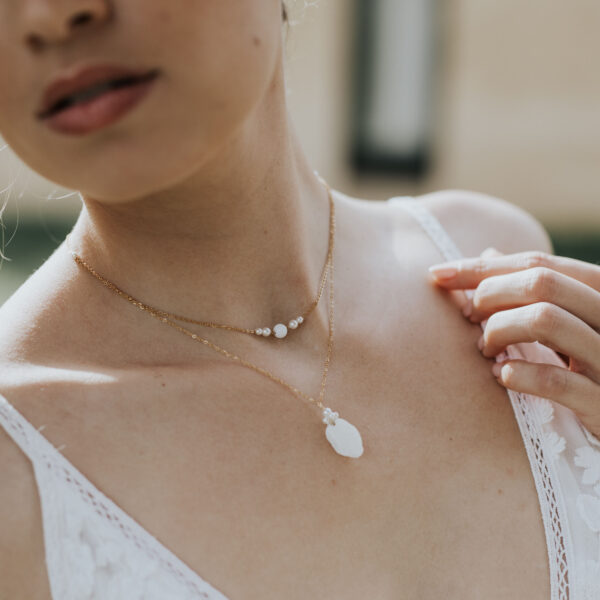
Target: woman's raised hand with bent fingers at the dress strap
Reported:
point(535, 296)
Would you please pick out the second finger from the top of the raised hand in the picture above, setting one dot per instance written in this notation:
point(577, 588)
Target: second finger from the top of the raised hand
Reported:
point(539, 284)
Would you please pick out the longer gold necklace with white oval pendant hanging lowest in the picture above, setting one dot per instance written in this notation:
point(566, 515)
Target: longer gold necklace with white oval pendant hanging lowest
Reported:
point(341, 434)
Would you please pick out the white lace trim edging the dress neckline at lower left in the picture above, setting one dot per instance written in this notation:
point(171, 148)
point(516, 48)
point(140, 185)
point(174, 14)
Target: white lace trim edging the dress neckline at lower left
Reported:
point(45, 456)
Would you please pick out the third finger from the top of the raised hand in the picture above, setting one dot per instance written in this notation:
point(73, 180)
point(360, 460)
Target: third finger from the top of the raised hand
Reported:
point(548, 324)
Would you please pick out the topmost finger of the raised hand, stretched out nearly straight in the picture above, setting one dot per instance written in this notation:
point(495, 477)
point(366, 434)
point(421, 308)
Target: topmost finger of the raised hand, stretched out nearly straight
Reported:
point(467, 273)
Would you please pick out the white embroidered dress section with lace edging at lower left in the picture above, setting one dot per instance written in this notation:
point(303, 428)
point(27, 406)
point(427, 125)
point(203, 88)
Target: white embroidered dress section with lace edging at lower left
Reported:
point(94, 550)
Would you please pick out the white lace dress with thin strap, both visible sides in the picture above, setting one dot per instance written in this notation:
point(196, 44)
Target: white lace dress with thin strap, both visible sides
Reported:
point(95, 551)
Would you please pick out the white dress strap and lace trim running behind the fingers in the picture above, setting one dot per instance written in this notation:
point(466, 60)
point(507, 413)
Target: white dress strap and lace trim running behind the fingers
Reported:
point(552, 504)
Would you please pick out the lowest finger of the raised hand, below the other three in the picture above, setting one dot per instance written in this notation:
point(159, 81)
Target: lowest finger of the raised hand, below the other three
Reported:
point(572, 390)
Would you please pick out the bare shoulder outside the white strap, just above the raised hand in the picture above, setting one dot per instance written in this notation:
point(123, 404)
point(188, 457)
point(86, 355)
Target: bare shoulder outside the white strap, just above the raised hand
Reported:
point(476, 221)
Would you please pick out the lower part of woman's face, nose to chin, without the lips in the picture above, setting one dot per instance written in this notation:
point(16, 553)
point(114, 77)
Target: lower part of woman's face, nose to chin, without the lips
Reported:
point(216, 58)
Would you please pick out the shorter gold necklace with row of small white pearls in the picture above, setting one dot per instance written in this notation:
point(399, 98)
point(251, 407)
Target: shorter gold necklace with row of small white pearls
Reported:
point(279, 330)
